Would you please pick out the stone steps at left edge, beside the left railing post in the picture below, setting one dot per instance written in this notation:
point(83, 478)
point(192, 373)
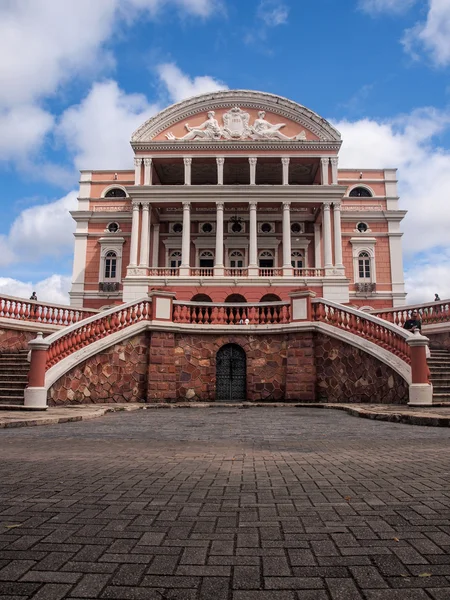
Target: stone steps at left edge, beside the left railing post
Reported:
point(14, 369)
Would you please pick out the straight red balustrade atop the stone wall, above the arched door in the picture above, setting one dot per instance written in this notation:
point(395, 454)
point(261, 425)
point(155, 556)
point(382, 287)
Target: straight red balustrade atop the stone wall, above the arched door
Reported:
point(274, 313)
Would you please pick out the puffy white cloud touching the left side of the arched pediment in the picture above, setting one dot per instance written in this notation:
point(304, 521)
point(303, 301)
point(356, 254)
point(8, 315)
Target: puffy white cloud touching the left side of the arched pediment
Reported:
point(98, 130)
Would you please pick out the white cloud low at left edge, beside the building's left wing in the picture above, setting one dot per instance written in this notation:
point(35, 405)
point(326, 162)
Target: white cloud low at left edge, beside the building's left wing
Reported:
point(40, 231)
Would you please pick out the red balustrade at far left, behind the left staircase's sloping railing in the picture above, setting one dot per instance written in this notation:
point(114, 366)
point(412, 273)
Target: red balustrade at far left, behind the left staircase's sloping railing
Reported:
point(41, 312)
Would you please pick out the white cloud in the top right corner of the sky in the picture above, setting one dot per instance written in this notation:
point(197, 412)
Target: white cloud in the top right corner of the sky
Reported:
point(433, 34)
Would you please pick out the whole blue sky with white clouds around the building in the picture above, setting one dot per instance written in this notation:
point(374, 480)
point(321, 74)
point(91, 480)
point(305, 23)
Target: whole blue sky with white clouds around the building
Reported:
point(77, 77)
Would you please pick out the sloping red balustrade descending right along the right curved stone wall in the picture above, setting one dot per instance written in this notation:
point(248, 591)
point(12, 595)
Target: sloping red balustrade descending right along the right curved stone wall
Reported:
point(387, 336)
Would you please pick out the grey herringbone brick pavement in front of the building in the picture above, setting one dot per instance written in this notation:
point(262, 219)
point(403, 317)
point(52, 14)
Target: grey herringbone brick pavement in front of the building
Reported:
point(225, 504)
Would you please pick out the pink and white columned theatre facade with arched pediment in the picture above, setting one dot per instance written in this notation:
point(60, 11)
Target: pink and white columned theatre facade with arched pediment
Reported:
point(238, 196)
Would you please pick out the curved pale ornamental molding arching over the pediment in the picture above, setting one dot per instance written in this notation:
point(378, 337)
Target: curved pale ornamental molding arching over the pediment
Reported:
point(235, 99)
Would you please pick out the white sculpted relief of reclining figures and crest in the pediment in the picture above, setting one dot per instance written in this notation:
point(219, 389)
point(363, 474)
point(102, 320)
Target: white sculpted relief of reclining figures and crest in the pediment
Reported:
point(236, 126)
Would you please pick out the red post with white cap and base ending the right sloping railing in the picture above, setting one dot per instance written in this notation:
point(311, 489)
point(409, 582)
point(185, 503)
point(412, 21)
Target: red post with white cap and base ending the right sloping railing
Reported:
point(420, 389)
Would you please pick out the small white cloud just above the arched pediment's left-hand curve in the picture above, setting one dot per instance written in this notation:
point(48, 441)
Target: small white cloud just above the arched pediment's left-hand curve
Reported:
point(181, 86)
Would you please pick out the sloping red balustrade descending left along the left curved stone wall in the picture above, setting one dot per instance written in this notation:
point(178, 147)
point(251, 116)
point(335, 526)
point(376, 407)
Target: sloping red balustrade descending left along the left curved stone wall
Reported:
point(63, 343)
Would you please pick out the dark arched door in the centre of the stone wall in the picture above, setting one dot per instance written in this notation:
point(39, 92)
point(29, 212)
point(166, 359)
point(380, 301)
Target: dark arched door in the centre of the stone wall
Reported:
point(231, 370)
